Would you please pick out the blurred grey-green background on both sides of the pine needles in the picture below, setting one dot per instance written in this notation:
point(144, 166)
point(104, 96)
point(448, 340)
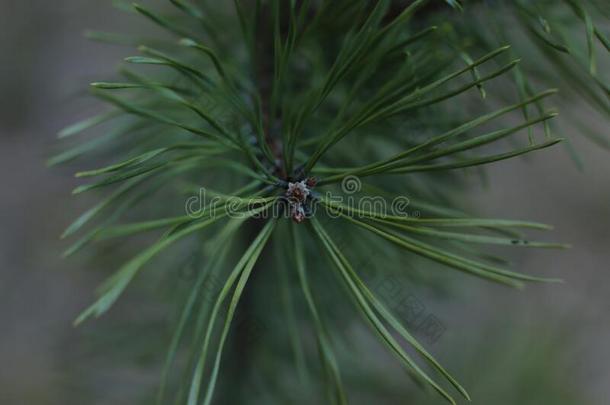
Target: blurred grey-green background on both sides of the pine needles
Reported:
point(548, 343)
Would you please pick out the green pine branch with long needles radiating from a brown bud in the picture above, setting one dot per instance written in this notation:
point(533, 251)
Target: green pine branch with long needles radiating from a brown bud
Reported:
point(277, 142)
